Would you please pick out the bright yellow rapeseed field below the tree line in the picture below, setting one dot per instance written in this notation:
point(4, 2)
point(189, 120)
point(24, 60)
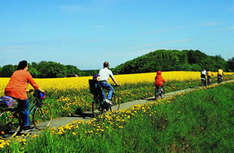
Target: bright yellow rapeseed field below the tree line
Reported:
point(82, 82)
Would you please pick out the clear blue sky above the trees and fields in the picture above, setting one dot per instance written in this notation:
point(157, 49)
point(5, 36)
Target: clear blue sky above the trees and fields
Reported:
point(85, 33)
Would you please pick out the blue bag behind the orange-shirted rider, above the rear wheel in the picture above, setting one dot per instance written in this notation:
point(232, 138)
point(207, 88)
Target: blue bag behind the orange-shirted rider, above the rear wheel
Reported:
point(8, 102)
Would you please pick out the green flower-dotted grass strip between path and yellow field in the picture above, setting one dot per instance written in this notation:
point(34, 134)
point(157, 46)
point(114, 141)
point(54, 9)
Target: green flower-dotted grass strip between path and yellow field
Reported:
point(127, 92)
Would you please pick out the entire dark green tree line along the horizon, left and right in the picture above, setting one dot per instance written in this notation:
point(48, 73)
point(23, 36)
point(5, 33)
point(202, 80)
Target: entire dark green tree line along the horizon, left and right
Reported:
point(164, 60)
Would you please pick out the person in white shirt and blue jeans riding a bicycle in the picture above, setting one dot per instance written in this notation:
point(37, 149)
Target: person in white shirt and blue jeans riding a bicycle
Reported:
point(104, 74)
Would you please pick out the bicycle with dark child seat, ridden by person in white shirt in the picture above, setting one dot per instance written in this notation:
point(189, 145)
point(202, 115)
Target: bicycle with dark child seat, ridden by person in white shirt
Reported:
point(96, 90)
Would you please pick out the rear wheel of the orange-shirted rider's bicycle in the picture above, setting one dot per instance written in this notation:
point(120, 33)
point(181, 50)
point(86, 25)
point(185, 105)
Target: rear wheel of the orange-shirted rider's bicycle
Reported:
point(9, 124)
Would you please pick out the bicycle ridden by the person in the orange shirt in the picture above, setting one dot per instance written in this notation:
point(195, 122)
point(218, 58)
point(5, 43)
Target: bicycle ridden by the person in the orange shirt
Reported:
point(11, 123)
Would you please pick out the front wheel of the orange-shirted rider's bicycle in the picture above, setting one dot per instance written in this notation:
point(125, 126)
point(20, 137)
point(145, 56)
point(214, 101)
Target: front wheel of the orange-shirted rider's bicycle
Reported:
point(42, 117)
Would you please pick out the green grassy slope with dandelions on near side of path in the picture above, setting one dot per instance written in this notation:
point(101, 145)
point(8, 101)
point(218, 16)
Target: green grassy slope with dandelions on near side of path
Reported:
point(199, 122)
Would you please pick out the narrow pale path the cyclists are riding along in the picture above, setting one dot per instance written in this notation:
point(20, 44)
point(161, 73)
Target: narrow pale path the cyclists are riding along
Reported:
point(62, 121)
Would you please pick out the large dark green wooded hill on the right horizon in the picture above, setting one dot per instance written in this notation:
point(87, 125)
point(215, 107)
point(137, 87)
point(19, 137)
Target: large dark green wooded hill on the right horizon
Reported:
point(175, 60)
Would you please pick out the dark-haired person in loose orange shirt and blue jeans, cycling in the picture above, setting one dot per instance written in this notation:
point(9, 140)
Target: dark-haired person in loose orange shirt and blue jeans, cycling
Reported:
point(16, 88)
